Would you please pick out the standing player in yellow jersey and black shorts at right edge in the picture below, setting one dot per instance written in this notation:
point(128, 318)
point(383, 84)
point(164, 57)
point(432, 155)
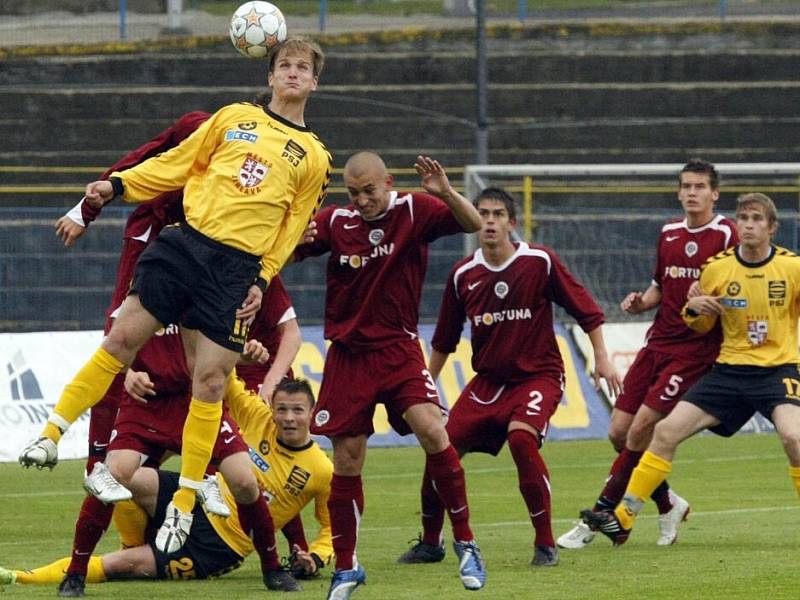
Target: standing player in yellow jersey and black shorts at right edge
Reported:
point(753, 291)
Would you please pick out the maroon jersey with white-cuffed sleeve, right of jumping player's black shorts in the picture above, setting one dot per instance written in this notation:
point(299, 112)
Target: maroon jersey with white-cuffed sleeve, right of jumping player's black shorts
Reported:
point(276, 308)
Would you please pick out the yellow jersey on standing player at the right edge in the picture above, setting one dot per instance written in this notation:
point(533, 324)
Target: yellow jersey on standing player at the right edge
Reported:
point(761, 302)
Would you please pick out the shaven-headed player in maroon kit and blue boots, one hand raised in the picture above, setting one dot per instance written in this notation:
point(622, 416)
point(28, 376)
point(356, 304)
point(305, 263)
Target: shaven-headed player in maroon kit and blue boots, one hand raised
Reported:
point(378, 255)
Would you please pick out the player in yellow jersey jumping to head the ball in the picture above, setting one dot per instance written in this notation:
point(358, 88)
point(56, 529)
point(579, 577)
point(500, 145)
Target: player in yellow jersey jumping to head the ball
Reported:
point(253, 177)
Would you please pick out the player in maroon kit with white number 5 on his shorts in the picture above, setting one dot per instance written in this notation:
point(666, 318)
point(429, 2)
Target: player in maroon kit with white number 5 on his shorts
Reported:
point(674, 357)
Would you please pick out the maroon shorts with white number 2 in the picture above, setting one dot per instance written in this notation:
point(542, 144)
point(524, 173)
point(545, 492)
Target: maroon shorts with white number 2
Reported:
point(480, 417)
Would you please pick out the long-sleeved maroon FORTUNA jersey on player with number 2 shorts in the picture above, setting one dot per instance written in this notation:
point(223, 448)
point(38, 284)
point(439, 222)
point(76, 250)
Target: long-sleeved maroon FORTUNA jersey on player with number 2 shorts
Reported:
point(510, 311)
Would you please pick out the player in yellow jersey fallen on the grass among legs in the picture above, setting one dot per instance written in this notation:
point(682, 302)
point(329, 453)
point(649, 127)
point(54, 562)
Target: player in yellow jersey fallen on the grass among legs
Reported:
point(291, 468)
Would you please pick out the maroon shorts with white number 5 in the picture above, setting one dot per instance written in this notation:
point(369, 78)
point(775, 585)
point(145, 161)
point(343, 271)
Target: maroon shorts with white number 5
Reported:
point(658, 381)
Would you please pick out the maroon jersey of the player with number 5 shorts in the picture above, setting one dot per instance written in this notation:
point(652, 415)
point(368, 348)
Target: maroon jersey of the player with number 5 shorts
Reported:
point(681, 253)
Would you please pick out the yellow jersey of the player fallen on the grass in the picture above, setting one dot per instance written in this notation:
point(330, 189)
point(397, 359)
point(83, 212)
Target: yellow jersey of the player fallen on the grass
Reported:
point(290, 477)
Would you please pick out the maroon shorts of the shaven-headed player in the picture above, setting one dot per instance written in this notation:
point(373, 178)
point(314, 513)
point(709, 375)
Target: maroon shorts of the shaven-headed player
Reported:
point(355, 382)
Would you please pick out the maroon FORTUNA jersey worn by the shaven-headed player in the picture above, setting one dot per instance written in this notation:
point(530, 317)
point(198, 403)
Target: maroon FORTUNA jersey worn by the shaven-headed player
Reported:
point(376, 268)
